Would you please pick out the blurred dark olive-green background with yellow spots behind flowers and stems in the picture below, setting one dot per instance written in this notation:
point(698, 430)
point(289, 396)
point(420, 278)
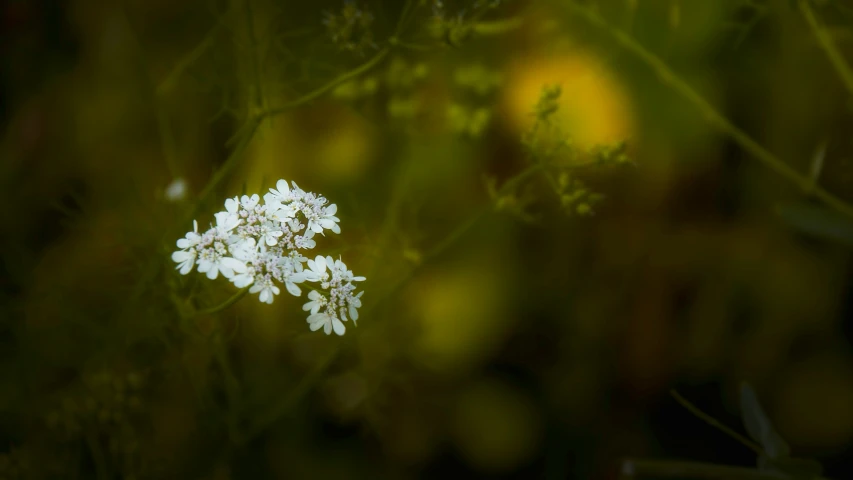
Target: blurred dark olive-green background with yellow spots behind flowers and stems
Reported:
point(491, 345)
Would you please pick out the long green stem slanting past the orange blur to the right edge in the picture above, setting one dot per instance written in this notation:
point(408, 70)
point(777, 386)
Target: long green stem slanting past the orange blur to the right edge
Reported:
point(669, 77)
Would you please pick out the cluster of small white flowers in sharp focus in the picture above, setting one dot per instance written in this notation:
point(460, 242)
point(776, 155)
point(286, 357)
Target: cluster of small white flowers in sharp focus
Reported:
point(260, 245)
